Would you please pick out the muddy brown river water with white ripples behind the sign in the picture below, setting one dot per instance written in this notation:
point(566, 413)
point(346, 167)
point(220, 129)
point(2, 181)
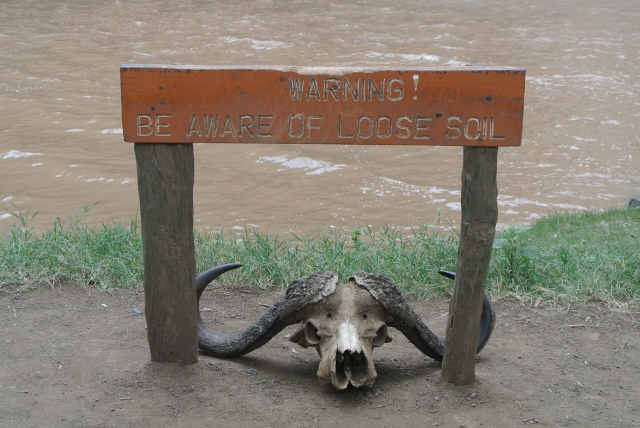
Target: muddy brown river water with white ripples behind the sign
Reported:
point(61, 143)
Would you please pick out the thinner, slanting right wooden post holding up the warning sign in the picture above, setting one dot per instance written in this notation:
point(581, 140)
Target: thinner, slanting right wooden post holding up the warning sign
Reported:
point(479, 216)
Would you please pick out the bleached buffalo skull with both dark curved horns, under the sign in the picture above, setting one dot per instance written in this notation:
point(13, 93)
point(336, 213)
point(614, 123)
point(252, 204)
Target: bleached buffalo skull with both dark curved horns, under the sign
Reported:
point(344, 322)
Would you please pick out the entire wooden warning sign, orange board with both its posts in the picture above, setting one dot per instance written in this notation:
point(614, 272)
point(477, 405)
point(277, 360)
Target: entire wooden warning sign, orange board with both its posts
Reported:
point(476, 107)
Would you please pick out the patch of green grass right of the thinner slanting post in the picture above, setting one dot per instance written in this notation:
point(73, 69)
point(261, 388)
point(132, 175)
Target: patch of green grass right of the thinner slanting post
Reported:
point(587, 256)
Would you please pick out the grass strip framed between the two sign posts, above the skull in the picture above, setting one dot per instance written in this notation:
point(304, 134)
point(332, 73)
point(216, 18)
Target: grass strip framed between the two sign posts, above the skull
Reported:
point(411, 257)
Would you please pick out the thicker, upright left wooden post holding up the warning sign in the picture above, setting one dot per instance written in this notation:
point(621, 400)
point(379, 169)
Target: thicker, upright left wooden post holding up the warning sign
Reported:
point(165, 186)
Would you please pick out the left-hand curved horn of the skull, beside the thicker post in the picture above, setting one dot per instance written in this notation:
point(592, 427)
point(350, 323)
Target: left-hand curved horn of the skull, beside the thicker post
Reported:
point(283, 313)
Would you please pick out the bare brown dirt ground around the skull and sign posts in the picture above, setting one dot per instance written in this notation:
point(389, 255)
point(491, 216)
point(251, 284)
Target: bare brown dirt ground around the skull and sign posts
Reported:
point(78, 357)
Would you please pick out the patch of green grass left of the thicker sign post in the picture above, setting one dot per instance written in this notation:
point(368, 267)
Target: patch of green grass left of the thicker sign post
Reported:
point(71, 251)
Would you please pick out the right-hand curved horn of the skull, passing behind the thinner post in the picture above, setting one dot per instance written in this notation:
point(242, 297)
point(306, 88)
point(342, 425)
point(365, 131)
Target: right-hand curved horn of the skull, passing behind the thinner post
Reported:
point(404, 318)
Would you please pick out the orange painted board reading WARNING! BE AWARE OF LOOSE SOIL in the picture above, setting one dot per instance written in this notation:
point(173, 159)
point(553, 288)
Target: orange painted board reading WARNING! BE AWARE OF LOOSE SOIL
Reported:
point(462, 106)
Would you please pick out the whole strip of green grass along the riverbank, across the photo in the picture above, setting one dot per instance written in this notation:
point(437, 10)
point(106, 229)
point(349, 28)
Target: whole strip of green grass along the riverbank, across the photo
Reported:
point(574, 258)
